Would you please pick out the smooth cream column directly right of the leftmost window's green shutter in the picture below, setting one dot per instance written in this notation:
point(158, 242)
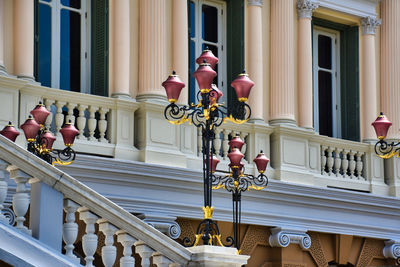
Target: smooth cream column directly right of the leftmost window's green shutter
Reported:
point(120, 48)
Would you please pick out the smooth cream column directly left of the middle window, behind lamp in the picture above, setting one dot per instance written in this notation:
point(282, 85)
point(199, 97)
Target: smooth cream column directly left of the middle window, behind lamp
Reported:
point(180, 50)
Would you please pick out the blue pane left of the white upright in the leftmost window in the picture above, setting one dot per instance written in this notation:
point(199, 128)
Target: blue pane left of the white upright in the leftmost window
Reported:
point(44, 45)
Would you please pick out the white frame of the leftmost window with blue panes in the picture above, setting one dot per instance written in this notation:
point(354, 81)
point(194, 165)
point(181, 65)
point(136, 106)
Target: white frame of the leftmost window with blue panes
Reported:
point(56, 8)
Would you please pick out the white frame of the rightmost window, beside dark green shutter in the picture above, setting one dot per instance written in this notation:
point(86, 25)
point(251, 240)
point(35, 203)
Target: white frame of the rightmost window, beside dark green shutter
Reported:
point(335, 71)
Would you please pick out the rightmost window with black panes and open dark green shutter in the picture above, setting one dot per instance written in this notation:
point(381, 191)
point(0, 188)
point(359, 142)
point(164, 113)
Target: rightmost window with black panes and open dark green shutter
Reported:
point(336, 80)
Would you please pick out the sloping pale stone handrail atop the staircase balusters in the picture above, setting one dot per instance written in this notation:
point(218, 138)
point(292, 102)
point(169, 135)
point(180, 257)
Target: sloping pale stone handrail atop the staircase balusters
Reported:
point(83, 195)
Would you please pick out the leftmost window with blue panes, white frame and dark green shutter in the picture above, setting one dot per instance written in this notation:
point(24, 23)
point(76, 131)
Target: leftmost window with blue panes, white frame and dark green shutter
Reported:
point(64, 49)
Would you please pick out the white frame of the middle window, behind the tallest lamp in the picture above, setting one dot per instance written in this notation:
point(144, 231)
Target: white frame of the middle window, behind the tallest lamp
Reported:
point(221, 44)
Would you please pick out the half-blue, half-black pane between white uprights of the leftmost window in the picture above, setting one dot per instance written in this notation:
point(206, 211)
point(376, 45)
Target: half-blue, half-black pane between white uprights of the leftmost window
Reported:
point(70, 51)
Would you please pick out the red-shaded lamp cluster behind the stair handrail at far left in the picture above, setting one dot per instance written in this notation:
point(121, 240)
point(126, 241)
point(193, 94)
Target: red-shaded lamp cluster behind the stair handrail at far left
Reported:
point(40, 140)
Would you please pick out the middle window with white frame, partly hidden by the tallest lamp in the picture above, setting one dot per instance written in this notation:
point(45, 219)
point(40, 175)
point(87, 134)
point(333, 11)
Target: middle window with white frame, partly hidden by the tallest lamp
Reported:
point(207, 30)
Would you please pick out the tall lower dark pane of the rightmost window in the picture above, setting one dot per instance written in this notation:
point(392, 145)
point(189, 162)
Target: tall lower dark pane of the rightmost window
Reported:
point(325, 102)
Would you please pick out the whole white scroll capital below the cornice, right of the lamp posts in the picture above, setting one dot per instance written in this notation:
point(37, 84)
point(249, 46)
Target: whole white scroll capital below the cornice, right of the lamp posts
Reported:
point(283, 237)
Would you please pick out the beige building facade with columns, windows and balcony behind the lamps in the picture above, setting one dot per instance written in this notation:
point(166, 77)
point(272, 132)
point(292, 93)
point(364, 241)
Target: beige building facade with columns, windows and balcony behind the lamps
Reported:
point(323, 70)
